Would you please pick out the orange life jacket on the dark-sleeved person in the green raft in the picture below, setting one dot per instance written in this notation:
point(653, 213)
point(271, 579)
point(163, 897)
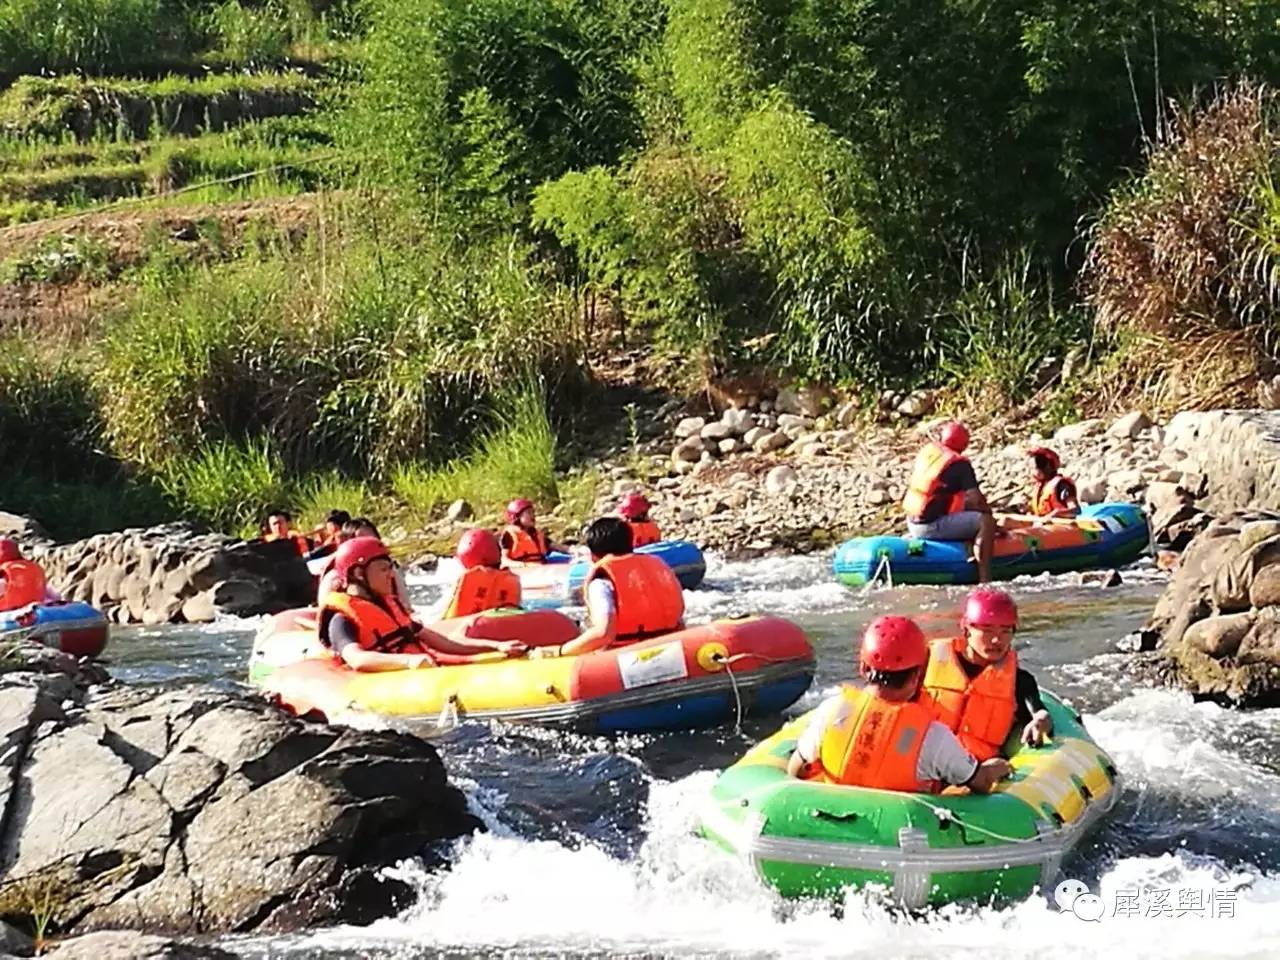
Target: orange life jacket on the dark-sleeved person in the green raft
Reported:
point(980, 711)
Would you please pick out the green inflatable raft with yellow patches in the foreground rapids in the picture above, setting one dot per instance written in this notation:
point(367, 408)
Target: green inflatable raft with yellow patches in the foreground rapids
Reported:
point(811, 839)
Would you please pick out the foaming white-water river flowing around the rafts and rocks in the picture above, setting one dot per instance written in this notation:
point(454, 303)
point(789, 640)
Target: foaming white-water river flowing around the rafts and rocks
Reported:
point(591, 851)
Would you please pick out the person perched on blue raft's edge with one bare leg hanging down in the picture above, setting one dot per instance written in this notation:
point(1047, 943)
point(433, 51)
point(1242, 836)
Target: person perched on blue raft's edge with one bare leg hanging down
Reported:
point(944, 501)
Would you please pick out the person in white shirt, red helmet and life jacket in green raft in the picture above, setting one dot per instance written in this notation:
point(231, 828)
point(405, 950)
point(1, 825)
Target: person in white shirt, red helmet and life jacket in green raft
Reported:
point(885, 737)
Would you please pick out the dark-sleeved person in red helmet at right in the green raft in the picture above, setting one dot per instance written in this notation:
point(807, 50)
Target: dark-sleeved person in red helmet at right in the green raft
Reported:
point(975, 682)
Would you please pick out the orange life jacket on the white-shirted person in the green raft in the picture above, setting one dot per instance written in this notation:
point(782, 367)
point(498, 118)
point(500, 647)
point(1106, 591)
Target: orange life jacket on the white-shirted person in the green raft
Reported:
point(876, 746)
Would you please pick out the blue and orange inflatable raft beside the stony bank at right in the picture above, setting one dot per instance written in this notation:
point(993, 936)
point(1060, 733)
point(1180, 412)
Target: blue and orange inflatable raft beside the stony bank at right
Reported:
point(1104, 536)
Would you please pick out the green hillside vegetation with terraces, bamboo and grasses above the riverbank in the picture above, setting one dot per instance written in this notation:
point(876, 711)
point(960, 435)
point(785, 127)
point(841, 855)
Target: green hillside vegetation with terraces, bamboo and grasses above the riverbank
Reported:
point(866, 193)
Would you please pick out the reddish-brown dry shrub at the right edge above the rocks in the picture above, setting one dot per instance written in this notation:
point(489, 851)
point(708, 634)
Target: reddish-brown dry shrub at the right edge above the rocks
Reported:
point(1192, 241)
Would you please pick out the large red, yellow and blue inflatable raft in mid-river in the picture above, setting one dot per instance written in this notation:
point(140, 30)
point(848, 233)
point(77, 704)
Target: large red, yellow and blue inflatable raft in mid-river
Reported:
point(694, 678)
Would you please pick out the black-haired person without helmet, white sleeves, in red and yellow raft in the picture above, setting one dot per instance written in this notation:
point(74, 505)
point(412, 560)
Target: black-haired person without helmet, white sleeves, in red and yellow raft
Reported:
point(629, 596)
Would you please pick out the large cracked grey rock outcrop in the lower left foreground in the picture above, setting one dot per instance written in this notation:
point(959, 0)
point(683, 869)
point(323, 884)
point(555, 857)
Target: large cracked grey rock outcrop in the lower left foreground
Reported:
point(195, 811)
